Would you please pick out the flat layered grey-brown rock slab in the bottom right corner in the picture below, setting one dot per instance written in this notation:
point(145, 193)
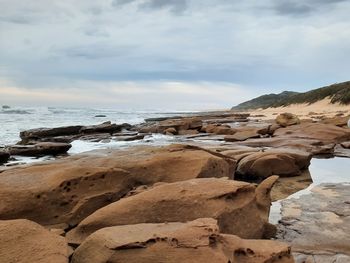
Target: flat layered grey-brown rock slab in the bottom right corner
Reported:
point(318, 224)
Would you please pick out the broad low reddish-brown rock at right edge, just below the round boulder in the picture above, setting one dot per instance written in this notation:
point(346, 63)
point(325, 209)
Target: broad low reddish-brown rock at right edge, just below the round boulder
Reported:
point(326, 133)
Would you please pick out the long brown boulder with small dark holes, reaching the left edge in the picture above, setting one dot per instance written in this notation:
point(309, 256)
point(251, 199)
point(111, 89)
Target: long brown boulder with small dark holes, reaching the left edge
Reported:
point(69, 189)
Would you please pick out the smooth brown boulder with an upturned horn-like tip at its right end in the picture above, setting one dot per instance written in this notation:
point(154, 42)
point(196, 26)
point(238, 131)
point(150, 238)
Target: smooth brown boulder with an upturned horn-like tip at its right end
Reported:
point(240, 208)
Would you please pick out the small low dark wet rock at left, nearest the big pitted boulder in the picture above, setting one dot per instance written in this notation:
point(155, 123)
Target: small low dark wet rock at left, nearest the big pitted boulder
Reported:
point(39, 149)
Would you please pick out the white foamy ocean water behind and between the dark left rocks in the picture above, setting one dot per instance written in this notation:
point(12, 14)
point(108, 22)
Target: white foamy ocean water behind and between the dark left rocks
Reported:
point(13, 120)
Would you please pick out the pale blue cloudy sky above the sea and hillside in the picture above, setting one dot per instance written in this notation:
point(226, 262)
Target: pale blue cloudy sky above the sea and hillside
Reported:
point(168, 54)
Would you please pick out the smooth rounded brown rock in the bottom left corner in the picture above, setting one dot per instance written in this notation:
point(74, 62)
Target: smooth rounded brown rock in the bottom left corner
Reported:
point(23, 241)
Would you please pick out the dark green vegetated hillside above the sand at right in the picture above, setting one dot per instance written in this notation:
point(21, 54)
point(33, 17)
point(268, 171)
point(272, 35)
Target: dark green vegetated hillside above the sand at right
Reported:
point(338, 93)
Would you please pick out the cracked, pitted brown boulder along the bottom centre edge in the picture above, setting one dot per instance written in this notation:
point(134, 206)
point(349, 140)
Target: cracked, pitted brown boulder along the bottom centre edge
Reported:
point(196, 241)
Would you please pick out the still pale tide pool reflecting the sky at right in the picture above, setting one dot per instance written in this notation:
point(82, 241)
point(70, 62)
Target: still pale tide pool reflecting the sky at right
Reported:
point(333, 170)
